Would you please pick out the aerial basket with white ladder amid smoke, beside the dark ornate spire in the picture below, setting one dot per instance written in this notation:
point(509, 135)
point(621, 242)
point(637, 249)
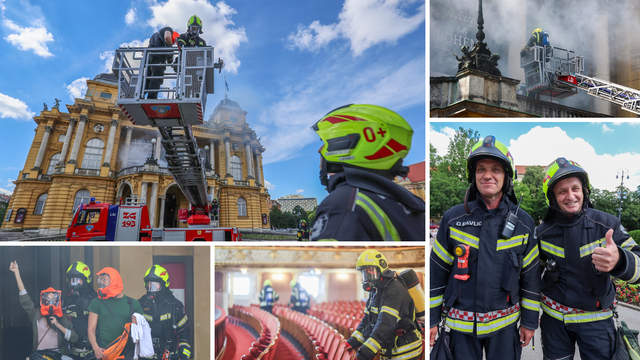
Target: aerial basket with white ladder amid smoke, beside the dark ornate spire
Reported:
point(559, 73)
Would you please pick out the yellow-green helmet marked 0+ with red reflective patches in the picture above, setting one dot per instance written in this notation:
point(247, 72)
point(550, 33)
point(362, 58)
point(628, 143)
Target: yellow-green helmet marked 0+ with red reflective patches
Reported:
point(366, 136)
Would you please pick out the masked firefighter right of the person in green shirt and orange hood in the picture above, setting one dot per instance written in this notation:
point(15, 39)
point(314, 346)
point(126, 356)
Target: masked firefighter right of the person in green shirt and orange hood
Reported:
point(166, 316)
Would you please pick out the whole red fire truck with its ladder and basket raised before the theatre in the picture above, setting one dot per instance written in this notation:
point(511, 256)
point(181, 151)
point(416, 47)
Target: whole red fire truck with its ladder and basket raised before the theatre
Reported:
point(179, 105)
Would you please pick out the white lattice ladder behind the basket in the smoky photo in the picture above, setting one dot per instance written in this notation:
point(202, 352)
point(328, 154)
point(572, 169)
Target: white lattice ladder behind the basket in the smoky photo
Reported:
point(626, 97)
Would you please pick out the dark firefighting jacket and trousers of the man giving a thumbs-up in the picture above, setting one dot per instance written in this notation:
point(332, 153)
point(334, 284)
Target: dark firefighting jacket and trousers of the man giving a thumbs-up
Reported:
point(577, 300)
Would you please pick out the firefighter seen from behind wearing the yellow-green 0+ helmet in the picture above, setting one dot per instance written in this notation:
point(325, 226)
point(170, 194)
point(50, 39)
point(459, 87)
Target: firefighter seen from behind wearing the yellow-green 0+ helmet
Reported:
point(364, 146)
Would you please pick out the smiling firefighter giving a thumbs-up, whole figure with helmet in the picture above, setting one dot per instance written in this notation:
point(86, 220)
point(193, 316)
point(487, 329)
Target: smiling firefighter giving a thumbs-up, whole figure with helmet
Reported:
point(582, 248)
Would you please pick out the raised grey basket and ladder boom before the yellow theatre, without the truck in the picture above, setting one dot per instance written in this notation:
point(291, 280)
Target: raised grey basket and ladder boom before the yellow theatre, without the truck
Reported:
point(180, 103)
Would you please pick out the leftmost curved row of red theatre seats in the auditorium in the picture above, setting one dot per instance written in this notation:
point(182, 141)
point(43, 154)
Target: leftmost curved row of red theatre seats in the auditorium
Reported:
point(265, 324)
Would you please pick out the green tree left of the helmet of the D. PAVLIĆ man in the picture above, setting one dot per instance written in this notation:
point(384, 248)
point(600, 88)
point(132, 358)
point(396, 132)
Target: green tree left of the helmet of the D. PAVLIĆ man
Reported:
point(455, 161)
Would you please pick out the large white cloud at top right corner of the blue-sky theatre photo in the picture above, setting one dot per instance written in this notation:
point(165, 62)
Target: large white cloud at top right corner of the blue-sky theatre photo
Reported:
point(364, 23)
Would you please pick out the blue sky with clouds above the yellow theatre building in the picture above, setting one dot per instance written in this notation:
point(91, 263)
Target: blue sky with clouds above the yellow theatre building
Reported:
point(287, 64)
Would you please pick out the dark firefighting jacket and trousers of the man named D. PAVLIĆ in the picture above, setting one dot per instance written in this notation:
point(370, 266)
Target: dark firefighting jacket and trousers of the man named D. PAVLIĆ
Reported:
point(503, 286)
